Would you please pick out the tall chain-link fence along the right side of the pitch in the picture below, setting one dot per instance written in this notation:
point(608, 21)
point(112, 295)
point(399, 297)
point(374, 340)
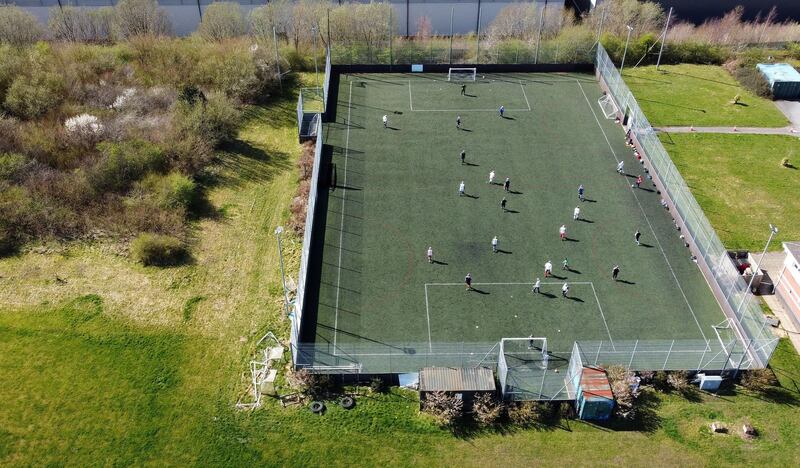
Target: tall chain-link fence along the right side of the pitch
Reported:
point(729, 286)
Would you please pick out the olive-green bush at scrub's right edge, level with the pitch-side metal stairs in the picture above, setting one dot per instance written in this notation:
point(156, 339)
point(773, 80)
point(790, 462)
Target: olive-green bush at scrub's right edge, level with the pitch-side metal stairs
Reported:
point(215, 122)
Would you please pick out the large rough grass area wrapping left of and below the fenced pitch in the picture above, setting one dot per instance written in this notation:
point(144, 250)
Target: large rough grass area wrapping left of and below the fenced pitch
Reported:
point(108, 368)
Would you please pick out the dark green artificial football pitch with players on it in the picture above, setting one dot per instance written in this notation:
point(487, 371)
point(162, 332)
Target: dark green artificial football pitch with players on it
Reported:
point(393, 192)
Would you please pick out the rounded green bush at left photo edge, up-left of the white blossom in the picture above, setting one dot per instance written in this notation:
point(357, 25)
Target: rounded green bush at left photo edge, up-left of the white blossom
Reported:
point(31, 96)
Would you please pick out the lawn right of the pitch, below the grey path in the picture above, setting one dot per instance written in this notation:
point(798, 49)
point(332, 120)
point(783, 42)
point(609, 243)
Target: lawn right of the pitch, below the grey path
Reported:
point(739, 182)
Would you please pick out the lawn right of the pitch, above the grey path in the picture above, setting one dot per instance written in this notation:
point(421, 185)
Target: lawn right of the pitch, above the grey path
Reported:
point(699, 95)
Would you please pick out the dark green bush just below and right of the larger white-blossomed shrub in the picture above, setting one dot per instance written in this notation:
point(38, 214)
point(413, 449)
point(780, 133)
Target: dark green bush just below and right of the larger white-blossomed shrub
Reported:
point(124, 163)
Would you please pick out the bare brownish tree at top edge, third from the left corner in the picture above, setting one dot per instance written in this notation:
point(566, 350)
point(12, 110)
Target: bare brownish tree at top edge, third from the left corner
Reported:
point(140, 18)
